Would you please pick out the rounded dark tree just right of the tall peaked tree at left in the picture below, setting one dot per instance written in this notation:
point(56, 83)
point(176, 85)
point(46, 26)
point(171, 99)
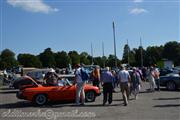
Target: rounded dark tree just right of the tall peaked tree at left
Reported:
point(62, 59)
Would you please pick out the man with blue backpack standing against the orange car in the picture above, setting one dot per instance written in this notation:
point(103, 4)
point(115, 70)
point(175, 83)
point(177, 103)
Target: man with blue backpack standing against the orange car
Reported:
point(79, 86)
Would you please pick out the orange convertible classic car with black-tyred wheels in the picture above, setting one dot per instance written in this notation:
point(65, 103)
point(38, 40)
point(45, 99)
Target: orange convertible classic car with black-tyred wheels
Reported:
point(64, 91)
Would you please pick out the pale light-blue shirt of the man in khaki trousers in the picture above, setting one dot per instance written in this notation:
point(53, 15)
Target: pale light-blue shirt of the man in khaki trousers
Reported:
point(123, 76)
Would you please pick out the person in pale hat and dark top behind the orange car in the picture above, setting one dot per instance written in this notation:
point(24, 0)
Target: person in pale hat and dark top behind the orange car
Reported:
point(51, 78)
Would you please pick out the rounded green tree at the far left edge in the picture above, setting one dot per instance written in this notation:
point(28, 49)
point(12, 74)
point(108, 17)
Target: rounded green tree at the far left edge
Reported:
point(7, 59)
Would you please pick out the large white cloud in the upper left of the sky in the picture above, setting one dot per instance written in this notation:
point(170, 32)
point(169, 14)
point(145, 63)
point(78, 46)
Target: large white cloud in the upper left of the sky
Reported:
point(32, 5)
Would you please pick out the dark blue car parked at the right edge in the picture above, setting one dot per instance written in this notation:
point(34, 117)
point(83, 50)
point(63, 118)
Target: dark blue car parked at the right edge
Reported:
point(171, 82)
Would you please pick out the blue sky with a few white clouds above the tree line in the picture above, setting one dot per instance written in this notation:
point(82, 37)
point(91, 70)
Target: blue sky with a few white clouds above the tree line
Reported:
point(30, 26)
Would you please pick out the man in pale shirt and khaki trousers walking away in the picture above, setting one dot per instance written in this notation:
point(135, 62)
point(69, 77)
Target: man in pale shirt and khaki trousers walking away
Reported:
point(124, 78)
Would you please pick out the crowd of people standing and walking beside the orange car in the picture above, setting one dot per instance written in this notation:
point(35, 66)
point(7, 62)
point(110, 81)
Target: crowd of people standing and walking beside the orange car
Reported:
point(129, 81)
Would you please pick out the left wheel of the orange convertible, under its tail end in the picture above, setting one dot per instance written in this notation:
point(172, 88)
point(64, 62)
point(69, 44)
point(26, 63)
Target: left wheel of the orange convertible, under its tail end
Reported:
point(40, 99)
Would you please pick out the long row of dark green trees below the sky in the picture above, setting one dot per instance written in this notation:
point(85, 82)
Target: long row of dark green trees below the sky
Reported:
point(61, 59)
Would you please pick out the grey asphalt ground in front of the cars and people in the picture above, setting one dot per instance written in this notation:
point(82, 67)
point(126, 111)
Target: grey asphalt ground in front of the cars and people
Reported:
point(163, 105)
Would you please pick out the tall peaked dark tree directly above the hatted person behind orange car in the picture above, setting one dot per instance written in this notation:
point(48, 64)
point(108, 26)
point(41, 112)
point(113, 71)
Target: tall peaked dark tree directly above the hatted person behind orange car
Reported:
point(47, 58)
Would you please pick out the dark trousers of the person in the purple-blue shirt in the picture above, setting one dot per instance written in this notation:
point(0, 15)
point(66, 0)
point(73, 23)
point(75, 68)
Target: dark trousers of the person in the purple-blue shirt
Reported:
point(107, 92)
